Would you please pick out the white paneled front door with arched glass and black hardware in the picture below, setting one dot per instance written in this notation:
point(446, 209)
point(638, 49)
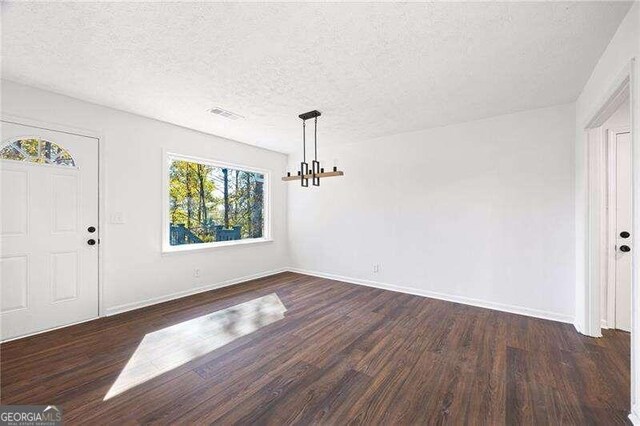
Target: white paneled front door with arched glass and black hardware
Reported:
point(49, 229)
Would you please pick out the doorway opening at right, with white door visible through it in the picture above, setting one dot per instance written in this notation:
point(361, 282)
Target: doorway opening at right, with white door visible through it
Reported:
point(610, 189)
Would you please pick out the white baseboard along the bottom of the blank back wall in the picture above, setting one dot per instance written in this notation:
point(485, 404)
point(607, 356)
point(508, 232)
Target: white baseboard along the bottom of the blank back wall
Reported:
point(520, 310)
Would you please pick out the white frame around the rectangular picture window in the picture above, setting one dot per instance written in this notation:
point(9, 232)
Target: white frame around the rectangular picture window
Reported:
point(167, 157)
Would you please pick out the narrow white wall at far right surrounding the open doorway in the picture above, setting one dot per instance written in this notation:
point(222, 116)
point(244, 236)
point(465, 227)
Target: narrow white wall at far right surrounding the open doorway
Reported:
point(624, 46)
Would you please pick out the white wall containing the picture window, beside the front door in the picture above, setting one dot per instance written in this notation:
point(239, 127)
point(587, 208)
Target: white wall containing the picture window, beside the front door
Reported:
point(135, 270)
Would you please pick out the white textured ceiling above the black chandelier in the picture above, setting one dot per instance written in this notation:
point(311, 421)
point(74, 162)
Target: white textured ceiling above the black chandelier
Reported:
point(372, 69)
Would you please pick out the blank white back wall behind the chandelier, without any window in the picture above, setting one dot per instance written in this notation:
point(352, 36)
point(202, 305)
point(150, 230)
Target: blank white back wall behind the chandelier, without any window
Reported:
point(480, 212)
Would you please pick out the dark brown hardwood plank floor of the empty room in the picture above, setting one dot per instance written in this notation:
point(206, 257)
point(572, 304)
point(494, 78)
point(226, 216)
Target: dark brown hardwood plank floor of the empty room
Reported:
point(342, 354)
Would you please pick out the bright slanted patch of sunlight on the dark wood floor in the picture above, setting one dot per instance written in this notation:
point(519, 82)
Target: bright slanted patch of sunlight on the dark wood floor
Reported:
point(171, 347)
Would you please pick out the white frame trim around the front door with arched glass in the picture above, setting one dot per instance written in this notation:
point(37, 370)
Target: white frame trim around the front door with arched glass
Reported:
point(15, 119)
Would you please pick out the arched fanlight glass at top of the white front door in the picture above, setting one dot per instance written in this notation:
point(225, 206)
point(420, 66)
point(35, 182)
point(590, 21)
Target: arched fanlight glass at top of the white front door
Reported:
point(39, 151)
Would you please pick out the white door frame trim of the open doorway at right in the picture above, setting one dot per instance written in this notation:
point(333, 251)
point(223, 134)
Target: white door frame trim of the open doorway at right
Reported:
point(625, 85)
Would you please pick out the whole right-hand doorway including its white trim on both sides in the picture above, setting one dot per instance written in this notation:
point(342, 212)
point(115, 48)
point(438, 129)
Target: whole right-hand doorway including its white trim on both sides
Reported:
point(611, 227)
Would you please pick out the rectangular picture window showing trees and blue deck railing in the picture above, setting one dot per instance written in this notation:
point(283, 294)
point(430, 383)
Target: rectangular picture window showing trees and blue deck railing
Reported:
point(213, 204)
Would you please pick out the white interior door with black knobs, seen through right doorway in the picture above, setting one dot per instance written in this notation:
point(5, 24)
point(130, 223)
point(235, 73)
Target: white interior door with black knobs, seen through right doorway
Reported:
point(623, 231)
